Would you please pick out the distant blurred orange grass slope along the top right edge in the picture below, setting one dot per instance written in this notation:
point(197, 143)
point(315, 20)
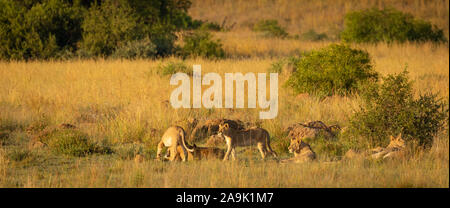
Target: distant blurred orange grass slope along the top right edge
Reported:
point(299, 16)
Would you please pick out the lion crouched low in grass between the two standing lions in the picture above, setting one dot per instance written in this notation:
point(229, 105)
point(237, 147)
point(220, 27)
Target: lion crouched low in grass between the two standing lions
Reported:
point(202, 153)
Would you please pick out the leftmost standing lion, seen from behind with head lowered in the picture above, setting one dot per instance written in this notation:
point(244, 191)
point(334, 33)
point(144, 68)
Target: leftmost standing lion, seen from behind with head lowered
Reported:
point(174, 140)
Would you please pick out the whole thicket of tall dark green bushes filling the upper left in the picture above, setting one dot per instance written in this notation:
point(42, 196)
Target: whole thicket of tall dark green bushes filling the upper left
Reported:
point(45, 29)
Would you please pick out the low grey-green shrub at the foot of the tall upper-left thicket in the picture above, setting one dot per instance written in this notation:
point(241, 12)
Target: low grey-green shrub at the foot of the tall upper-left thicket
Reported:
point(136, 49)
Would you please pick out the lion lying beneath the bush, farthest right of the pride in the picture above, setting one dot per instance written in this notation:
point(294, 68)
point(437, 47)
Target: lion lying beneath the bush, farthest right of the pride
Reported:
point(396, 147)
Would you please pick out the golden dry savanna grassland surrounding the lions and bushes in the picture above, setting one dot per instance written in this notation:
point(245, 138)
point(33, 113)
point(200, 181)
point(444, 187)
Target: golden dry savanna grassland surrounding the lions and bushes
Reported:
point(118, 102)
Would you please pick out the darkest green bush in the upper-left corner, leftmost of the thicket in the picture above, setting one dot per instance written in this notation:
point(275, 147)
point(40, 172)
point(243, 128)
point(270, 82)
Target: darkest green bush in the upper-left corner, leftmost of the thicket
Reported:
point(38, 30)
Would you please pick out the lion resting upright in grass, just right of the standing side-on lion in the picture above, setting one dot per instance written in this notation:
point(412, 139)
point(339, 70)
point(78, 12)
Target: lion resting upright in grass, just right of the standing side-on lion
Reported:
point(302, 152)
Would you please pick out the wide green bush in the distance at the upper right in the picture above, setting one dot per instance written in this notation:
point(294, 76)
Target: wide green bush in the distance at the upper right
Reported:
point(388, 25)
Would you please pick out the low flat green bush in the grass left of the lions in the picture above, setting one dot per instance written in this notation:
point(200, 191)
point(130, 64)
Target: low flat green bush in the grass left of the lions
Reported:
point(72, 142)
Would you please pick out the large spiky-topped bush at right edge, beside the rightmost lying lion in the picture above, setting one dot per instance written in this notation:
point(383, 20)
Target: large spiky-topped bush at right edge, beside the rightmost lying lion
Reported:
point(390, 108)
